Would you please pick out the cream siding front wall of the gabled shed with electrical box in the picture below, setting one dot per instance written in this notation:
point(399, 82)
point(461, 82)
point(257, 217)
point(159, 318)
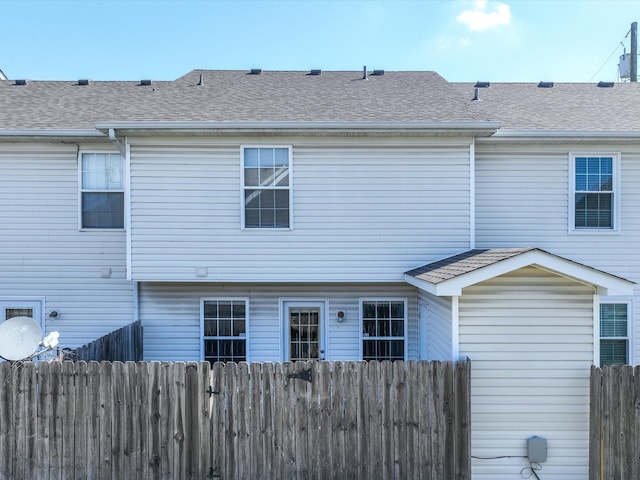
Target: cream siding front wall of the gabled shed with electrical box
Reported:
point(529, 335)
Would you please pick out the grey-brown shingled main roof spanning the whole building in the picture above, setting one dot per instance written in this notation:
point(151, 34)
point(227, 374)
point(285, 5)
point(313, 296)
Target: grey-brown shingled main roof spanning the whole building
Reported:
point(294, 96)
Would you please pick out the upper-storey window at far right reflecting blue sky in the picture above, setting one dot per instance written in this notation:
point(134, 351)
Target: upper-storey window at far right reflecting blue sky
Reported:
point(594, 197)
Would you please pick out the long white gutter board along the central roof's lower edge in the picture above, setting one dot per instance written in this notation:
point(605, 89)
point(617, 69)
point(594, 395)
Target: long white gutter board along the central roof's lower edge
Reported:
point(480, 128)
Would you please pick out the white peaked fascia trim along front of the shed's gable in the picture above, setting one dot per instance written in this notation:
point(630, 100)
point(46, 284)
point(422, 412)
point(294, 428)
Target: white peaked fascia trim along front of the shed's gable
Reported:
point(605, 284)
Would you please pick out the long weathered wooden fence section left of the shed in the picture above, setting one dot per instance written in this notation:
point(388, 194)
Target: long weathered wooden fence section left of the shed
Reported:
point(321, 420)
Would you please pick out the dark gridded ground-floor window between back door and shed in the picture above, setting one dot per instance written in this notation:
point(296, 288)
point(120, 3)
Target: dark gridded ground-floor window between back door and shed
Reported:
point(383, 329)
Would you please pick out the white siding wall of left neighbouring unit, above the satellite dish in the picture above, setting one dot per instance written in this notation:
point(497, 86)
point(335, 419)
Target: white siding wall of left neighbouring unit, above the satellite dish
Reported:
point(43, 256)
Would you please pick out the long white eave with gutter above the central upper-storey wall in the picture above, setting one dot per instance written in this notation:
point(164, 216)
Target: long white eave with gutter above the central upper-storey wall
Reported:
point(475, 129)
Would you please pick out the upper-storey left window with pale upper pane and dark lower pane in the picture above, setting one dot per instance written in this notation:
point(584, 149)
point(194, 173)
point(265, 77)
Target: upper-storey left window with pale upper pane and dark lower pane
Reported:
point(101, 190)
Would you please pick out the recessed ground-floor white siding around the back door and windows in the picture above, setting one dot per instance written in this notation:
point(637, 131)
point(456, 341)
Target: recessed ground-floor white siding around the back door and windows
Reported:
point(170, 314)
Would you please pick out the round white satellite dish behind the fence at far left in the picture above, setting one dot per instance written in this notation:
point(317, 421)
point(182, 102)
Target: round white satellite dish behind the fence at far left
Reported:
point(19, 338)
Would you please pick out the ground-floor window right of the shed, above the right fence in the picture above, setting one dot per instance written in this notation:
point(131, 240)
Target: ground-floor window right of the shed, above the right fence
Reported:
point(614, 334)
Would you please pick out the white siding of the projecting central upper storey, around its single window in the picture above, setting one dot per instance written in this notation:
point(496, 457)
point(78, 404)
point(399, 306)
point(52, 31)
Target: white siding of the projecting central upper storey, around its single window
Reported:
point(359, 214)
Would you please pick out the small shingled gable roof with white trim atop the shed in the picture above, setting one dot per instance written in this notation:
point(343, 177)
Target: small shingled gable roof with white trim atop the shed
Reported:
point(448, 277)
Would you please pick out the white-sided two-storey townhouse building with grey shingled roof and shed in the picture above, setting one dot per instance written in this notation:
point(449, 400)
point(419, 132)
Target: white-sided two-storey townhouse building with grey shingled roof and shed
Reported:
point(271, 216)
